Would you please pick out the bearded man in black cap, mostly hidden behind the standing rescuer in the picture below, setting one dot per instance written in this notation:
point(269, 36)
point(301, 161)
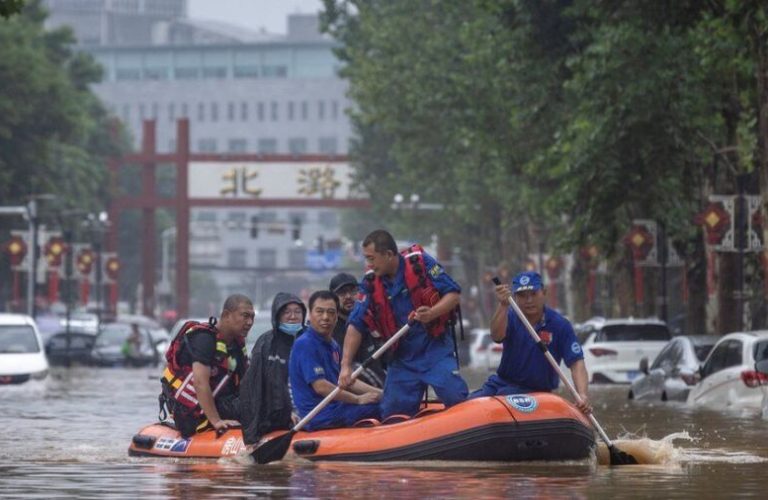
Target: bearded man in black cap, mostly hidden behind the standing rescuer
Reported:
point(346, 288)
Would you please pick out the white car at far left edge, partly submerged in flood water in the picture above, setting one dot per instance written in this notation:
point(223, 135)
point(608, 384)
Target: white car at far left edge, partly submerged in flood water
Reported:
point(22, 356)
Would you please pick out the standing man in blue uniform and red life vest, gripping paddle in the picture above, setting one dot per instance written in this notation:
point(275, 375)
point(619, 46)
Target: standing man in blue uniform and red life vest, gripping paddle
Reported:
point(397, 286)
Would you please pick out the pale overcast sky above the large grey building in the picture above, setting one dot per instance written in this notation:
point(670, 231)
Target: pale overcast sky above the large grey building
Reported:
point(253, 14)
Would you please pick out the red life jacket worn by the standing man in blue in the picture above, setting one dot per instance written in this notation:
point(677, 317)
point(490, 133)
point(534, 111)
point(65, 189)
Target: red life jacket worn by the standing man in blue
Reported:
point(379, 317)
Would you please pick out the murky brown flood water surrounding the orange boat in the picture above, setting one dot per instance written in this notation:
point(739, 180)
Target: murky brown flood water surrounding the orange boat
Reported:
point(67, 437)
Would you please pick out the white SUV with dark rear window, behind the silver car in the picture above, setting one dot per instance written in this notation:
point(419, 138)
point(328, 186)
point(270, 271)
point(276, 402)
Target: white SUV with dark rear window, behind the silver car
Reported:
point(613, 348)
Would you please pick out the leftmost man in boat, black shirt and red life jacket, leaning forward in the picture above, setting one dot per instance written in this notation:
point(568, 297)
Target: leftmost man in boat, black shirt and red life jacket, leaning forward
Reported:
point(206, 362)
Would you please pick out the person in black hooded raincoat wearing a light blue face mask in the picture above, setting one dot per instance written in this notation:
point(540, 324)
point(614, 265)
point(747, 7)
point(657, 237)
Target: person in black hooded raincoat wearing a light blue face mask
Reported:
point(265, 397)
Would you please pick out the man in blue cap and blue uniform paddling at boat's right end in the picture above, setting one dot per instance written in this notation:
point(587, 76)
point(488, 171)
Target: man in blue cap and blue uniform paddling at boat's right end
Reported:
point(523, 367)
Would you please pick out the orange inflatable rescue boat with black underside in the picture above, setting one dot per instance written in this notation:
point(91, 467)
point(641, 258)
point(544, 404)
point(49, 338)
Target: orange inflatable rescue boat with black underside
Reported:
point(522, 427)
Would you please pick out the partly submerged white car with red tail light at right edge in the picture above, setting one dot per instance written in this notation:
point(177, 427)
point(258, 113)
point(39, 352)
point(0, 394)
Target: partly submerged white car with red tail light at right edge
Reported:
point(729, 378)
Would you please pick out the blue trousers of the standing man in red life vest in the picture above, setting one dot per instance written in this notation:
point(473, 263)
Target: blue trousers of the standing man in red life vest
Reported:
point(405, 386)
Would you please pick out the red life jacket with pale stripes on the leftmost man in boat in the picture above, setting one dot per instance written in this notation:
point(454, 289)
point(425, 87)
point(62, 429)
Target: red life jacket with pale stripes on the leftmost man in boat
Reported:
point(178, 378)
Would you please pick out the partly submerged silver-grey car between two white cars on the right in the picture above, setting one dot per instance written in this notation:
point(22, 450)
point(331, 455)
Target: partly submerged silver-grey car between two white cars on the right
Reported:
point(673, 372)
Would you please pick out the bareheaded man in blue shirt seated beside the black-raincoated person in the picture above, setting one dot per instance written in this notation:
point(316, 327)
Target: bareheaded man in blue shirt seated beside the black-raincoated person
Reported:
point(314, 368)
